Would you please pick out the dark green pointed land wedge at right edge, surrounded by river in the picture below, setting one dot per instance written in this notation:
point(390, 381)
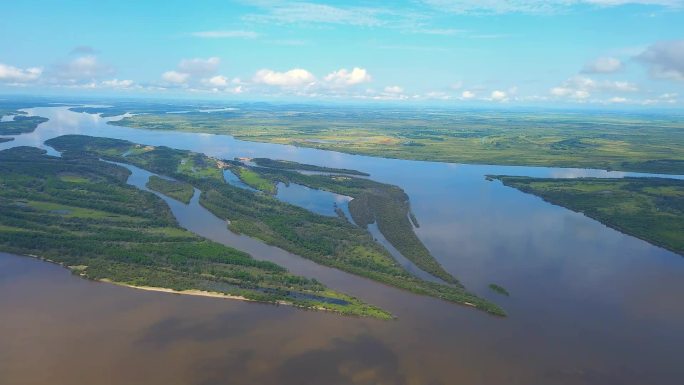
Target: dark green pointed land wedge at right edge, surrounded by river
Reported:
point(651, 209)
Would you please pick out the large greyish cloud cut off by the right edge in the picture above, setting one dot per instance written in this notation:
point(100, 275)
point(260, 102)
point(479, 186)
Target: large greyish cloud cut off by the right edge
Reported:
point(665, 59)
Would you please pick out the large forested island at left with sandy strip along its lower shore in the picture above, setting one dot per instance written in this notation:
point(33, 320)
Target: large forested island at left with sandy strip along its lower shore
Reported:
point(81, 214)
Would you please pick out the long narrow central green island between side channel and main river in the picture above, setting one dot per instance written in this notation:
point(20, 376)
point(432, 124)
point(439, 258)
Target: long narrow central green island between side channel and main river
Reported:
point(330, 241)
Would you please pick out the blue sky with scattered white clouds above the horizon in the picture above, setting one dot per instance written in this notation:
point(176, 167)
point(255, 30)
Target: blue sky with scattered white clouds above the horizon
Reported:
point(455, 52)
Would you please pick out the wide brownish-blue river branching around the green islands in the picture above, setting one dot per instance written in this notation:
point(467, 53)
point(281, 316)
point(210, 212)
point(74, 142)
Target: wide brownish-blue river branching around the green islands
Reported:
point(588, 304)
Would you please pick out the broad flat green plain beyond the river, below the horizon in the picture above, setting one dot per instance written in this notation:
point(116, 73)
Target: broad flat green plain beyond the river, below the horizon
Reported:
point(628, 142)
